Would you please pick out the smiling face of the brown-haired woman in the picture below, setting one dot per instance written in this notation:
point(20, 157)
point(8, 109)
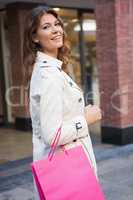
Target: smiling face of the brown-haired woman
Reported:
point(49, 33)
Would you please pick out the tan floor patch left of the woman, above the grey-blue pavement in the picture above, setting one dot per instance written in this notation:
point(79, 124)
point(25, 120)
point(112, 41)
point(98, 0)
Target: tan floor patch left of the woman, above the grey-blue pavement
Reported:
point(14, 144)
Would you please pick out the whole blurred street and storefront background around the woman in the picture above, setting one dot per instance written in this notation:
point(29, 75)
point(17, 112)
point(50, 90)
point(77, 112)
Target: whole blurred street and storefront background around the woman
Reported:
point(101, 39)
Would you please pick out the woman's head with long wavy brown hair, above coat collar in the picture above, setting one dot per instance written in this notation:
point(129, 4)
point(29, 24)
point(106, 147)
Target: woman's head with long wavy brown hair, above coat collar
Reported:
point(43, 24)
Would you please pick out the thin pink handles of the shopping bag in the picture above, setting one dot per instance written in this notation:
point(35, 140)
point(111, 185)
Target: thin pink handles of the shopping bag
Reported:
point(55, 143)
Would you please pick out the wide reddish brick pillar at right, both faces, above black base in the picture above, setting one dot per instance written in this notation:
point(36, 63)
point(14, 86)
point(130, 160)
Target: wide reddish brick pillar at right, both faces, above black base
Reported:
point(115, 63)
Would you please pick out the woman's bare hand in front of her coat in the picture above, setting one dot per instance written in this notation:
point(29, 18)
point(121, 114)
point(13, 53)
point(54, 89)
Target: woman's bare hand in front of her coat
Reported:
point(92, 114)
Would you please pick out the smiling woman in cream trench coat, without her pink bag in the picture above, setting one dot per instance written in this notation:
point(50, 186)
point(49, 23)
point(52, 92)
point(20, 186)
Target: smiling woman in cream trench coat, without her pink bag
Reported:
point(55, 99)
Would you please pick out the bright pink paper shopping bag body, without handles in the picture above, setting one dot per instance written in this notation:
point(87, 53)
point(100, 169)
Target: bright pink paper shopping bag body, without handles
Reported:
point(66, 176)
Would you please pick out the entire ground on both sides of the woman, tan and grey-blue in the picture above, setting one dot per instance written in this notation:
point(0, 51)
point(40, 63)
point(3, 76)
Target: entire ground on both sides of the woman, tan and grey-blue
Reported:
point(115, 167)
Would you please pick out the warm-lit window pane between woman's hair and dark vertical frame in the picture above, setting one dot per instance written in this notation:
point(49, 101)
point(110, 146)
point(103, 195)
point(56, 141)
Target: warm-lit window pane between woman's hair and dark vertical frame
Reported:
point(70, 20)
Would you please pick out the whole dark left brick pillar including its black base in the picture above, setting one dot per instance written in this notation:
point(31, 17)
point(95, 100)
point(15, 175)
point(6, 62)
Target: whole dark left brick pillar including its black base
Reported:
point(16, 16)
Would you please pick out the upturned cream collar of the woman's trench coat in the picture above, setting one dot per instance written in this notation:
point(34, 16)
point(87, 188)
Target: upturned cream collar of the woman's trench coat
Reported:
point(45, 60)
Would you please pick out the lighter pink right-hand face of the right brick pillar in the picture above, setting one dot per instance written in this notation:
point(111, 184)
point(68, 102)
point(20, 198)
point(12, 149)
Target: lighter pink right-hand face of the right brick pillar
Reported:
point(124, 34)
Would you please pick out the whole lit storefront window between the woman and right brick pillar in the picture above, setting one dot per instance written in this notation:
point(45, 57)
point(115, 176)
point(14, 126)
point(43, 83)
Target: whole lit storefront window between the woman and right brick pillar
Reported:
point(81, 30)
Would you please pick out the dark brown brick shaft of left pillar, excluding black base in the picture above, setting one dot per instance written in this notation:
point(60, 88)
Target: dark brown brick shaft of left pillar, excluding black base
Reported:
point(15, 16)
